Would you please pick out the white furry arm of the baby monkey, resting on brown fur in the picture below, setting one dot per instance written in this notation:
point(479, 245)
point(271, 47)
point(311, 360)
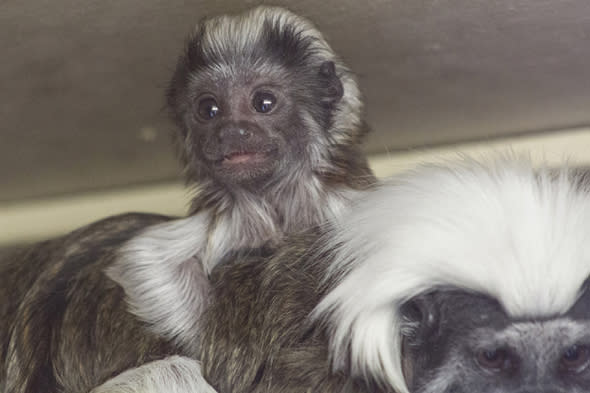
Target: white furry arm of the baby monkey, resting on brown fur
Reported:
point(164, 274)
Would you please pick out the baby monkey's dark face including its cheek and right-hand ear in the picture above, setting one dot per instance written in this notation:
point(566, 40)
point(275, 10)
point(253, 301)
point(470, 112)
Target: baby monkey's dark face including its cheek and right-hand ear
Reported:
point(243, 128)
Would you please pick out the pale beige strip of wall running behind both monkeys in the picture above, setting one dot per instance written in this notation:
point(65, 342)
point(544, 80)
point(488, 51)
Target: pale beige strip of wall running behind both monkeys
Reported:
point(42, 218)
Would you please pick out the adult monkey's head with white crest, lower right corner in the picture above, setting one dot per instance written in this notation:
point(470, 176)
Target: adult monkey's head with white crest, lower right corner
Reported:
point(462, 279)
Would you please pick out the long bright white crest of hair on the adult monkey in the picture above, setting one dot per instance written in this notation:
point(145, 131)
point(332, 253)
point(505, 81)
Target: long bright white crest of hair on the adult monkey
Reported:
point(497, 227)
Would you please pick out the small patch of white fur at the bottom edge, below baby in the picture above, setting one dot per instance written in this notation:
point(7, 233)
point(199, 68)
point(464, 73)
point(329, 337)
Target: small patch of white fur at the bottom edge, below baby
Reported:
point(175, 374)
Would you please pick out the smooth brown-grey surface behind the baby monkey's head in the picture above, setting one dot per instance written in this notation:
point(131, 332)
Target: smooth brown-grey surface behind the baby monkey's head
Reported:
point(82, 82)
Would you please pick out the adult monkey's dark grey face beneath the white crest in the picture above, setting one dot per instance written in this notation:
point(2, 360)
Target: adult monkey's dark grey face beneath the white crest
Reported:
point(465, 343)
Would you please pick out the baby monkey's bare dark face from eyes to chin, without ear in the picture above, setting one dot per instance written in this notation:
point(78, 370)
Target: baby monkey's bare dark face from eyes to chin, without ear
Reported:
point(237, 132)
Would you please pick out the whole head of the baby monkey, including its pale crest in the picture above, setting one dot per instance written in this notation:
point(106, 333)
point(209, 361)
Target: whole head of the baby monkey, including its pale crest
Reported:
point(261, 94)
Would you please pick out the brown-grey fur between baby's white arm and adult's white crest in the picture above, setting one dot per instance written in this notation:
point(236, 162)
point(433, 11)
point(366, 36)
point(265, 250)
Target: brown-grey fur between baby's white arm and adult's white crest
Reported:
point(257, 336)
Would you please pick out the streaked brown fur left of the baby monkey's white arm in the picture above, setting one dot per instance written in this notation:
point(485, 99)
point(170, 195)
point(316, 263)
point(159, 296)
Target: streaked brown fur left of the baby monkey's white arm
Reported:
point(63, 326)
